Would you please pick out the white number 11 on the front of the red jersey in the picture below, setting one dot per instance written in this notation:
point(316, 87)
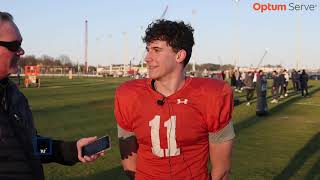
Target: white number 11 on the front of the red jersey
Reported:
point(172, 149)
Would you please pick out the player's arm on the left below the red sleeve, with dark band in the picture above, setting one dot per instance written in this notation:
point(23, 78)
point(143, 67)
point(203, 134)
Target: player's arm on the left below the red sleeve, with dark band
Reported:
point(128, 150)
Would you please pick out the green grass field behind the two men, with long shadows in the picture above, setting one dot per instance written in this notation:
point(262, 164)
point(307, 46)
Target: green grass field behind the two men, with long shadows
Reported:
point(283, 145)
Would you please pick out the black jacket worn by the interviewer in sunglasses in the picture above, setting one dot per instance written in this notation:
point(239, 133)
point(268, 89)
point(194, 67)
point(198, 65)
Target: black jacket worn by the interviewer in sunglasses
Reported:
point(18, 159)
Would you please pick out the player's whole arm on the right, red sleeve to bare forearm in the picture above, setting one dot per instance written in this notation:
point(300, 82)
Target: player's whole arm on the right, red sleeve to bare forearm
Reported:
point(221, 133)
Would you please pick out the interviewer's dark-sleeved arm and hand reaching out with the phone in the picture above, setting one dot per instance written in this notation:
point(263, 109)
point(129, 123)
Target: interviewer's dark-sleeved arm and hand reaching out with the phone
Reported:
point(62, 152)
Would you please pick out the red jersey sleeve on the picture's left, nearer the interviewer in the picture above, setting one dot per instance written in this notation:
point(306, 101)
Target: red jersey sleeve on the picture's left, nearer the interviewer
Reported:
point(121, 112)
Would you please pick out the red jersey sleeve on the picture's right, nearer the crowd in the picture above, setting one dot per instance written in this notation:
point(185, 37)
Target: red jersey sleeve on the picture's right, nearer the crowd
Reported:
point(219, 109)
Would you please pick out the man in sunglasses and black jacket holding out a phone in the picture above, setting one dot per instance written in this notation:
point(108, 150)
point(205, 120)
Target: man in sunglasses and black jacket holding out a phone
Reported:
point(22, 150)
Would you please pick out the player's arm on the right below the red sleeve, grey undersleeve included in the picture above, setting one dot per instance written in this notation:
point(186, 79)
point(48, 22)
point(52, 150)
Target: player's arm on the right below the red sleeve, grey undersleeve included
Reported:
point(220, 148)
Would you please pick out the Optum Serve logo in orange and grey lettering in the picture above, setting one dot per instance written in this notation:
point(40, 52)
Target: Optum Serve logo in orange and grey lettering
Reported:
point(283, 7)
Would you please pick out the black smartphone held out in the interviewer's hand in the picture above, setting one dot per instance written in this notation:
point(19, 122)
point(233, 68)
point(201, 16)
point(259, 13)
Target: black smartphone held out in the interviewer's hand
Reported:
point(100, 144)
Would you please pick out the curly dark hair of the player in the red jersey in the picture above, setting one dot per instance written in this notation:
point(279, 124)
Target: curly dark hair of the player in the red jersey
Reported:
point(177, 34)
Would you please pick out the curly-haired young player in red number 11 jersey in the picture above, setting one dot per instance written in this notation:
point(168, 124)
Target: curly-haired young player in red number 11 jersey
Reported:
point(170, 124)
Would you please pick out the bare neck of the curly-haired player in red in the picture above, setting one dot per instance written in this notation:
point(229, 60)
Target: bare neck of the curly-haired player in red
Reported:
point(167, 87)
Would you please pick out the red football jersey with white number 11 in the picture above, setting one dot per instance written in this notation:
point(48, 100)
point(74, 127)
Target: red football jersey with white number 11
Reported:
point(173, 137)
